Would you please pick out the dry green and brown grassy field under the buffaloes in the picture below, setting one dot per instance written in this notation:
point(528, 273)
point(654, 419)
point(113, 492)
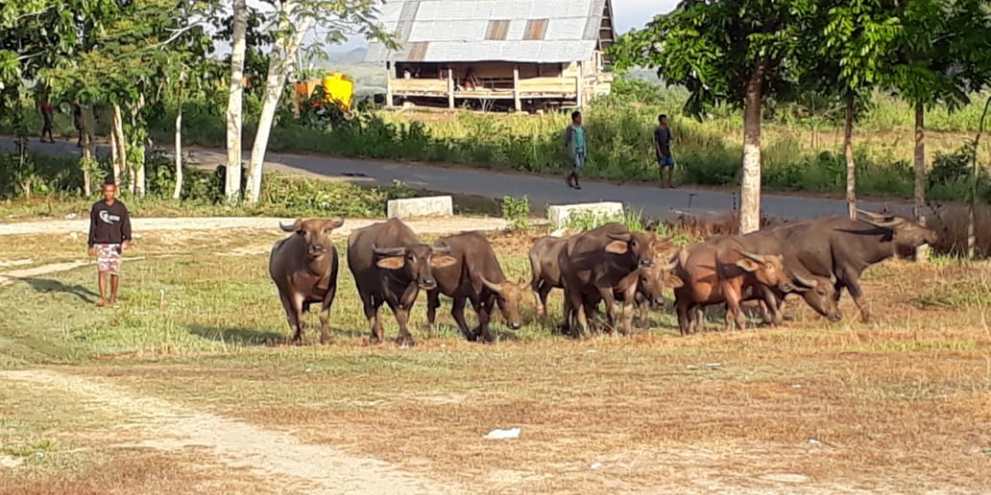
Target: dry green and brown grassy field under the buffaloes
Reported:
point(899, 405)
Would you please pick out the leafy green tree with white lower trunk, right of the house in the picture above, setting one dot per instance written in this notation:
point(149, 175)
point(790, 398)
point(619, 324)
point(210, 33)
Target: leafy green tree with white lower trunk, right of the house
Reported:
point(737, 51)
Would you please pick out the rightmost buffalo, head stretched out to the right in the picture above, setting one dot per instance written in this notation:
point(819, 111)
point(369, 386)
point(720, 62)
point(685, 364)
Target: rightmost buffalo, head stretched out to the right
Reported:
point(841, 249)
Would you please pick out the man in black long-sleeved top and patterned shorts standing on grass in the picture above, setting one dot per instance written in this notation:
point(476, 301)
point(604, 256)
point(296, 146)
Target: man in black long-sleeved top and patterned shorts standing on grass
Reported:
point(109, 234)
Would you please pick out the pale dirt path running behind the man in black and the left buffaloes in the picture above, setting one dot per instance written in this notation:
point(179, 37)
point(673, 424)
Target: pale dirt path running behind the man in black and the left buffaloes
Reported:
point(424, 226)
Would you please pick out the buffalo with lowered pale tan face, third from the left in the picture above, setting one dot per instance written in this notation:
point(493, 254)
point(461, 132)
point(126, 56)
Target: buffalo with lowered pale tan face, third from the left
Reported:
point(475, 277)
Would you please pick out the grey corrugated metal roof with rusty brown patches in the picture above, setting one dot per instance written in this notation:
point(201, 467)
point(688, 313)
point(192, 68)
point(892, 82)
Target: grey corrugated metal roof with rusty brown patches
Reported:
point(494, 30)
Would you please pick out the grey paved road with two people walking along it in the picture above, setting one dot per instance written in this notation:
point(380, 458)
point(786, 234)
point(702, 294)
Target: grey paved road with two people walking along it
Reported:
point(652, 201)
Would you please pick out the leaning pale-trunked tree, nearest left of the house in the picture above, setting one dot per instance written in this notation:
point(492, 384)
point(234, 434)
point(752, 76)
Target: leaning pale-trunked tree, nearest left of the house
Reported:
point(293, 20)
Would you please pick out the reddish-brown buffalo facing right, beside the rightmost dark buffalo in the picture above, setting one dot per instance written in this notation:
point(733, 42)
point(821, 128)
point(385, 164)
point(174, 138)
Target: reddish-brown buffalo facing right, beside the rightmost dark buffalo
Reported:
point(720, 271)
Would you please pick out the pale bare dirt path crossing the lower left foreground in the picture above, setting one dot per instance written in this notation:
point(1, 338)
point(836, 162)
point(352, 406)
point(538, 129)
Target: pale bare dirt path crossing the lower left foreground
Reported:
point(295, 466)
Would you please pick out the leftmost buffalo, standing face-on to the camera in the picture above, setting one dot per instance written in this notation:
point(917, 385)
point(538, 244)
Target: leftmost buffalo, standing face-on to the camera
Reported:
point(304, 268)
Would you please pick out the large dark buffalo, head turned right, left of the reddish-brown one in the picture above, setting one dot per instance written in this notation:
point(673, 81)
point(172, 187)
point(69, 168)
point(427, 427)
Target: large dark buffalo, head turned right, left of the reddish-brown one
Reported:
point(593, 263)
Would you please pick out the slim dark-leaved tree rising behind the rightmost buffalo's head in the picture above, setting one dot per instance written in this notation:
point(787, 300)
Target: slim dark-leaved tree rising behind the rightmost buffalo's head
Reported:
point(937, 61)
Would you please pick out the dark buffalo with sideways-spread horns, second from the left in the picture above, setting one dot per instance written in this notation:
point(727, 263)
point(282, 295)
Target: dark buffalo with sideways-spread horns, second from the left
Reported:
point(390, 265)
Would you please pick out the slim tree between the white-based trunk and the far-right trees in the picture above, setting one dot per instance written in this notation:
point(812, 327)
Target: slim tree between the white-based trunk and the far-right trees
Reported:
point(848, 57)
